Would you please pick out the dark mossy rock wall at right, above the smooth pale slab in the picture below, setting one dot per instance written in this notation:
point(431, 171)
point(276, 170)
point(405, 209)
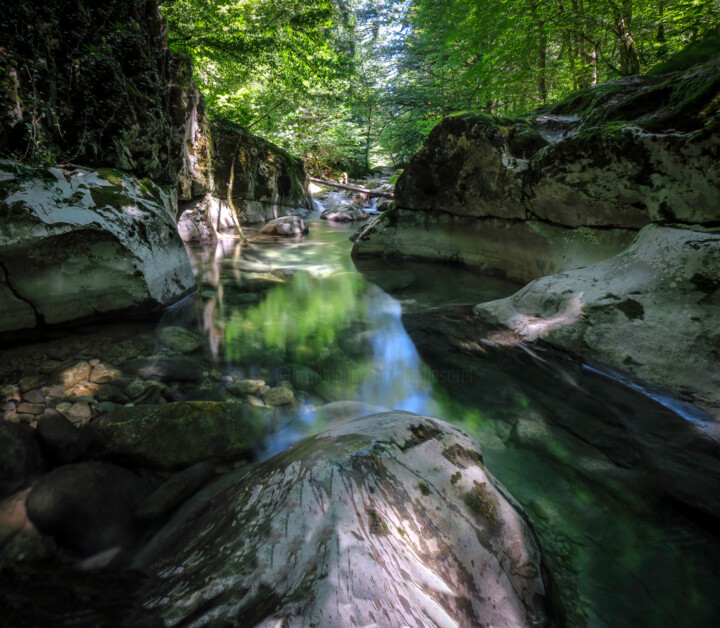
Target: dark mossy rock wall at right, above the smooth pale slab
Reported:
point(565, 187)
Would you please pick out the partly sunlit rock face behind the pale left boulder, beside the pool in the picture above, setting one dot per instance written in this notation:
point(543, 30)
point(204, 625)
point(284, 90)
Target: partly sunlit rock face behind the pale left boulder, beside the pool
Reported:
point(225, 162)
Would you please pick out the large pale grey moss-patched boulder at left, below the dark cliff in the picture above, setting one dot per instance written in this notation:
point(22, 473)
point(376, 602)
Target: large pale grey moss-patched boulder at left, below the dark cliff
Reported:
point(80, 244)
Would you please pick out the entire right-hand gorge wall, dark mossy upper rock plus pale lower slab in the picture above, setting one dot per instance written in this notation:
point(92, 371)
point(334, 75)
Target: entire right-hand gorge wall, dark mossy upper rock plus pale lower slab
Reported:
point(608, 203)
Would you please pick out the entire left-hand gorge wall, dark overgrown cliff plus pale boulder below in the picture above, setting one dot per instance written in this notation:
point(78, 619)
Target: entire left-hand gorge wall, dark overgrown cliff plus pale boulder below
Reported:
point(101, 130)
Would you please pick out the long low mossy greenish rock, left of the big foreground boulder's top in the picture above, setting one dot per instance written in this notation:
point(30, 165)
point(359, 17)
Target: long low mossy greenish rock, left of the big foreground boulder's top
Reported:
point(178, 434)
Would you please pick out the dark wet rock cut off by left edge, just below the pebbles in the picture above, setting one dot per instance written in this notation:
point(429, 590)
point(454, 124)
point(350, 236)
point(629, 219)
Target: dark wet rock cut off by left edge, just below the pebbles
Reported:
point(20, 456)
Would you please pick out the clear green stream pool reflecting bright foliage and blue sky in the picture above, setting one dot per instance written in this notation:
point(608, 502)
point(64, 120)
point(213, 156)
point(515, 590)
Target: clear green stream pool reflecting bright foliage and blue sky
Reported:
point(567, 443)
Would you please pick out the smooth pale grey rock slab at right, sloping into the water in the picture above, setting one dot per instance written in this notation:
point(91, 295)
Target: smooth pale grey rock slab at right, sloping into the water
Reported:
point(651, 310)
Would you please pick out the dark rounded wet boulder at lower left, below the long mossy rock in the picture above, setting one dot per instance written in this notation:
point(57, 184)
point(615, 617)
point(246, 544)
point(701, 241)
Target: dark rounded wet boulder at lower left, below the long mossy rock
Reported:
point(87, 507)
